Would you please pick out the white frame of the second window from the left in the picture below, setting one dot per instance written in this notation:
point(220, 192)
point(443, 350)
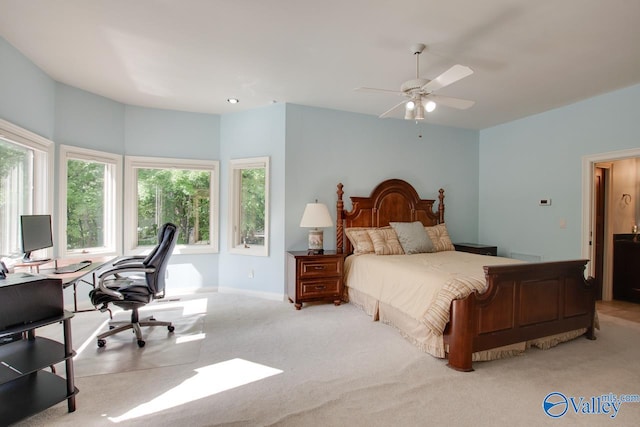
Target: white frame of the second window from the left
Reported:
point(113, 204)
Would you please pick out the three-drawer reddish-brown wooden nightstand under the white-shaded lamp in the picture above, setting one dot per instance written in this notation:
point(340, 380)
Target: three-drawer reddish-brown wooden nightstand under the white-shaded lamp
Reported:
point(314, 277)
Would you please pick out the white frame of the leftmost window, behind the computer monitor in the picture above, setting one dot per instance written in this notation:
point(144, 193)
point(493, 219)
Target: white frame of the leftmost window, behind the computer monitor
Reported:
point(43, 170)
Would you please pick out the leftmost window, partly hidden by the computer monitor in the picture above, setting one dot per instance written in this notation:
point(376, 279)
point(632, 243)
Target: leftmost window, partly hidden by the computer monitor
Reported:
point(26, 174)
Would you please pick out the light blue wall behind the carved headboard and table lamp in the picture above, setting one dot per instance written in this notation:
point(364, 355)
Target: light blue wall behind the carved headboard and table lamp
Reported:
point(325, 147)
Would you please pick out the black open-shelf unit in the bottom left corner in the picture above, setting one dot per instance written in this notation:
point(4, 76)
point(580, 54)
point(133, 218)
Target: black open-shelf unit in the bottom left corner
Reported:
point(28, 382)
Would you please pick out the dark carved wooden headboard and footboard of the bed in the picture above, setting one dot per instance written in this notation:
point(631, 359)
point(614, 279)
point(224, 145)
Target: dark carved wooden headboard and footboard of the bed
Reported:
point(523, 301)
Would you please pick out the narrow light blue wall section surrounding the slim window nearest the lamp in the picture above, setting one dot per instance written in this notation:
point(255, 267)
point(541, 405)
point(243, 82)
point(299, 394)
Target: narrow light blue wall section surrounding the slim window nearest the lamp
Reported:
point(255, 133)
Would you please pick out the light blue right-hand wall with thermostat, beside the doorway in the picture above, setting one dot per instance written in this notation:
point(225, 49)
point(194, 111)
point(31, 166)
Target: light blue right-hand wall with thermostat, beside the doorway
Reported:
point(541, 157)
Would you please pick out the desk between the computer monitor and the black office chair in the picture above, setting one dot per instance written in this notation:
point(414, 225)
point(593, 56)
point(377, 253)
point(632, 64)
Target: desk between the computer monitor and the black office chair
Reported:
point(72, 279)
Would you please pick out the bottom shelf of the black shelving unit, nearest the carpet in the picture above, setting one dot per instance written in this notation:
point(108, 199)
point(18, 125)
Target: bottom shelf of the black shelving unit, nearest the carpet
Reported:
point(31, 394)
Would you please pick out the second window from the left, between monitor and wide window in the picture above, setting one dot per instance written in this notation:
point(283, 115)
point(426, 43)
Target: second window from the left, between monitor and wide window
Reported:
point(90, 201)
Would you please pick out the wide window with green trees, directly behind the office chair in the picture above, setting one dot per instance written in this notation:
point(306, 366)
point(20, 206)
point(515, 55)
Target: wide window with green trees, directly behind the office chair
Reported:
point(184, 192)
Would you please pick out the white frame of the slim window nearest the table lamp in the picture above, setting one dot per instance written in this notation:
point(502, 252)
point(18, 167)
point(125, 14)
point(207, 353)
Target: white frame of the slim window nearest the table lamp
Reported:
point(235, 169)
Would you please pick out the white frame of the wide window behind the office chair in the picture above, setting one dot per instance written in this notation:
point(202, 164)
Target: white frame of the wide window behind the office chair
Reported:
point(131, 163)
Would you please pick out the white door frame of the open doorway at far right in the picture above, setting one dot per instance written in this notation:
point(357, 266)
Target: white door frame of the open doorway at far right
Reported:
point(588, 207)
